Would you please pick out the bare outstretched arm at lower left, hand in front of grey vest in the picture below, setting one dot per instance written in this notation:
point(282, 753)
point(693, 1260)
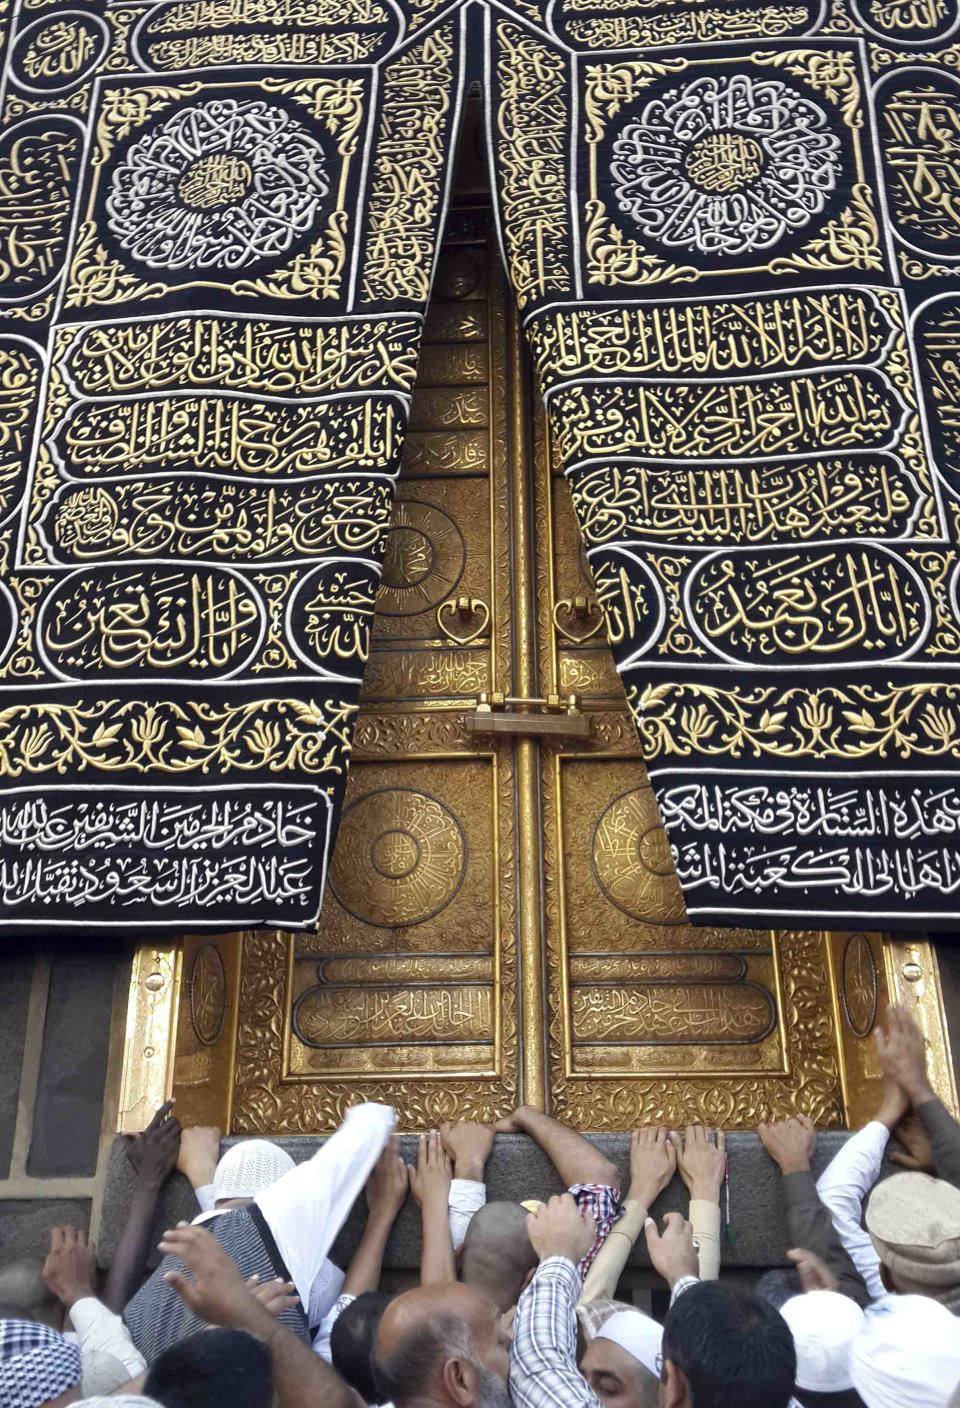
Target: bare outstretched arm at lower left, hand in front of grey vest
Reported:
point(219, 1296)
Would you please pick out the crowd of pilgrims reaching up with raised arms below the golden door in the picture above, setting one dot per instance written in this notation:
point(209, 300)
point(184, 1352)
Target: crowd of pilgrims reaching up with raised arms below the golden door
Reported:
point(517, 1302)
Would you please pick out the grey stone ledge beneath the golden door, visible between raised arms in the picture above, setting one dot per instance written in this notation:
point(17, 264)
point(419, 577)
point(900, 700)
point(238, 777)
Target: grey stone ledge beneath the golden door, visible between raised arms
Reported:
point(520, 1171)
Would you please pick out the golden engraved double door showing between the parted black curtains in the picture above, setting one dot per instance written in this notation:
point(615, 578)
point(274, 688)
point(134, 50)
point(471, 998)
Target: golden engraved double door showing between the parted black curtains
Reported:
point(502, 919)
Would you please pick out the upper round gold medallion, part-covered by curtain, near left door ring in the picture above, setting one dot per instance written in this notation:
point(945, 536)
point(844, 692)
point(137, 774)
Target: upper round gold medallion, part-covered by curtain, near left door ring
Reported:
point(423, 560)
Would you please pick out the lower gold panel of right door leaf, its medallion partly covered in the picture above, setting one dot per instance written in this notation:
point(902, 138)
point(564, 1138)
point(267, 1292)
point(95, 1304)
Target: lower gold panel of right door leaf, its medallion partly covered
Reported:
point(650, 993)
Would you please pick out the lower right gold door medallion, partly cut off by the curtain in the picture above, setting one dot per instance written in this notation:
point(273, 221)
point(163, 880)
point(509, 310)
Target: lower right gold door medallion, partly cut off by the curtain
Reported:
point(633, 861)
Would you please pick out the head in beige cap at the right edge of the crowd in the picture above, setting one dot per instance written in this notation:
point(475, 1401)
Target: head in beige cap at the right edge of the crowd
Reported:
point(914, 1223)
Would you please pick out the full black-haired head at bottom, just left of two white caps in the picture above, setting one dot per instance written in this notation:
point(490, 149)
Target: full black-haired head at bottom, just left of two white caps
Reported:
point(726, 1350)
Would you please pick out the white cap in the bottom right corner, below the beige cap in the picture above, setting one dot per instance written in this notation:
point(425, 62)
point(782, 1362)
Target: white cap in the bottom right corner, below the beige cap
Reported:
point(909, 1352)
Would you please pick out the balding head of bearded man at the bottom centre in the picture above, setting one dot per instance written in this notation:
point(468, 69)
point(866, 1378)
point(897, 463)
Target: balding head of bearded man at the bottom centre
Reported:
point(443, 1347)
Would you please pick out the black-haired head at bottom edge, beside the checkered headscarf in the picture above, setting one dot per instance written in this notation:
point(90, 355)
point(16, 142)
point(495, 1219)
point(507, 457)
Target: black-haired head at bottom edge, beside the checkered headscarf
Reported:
point(213, 1369)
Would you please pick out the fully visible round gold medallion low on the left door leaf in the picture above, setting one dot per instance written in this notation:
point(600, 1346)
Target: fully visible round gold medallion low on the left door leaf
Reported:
point(400, 858)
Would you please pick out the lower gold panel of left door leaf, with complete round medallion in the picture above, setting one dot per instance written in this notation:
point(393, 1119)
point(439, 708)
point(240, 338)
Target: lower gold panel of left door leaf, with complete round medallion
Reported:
point(405, 975)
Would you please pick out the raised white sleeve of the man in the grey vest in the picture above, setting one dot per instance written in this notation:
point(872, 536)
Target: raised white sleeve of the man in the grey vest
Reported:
point(308, 1207)
